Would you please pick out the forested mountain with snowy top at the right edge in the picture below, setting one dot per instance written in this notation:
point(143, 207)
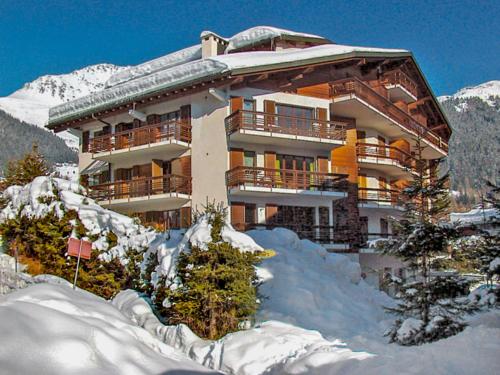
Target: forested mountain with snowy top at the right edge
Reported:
point(474, 115)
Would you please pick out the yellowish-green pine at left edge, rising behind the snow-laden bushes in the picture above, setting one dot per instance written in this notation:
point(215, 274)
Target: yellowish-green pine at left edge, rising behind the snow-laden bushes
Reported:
point(22, 172)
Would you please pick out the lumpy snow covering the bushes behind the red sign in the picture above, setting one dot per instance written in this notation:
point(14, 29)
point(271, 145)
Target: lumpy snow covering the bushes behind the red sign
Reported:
point(47, 194)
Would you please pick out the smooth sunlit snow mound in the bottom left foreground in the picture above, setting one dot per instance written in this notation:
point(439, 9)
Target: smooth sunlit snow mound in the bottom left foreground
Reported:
point(52, 329)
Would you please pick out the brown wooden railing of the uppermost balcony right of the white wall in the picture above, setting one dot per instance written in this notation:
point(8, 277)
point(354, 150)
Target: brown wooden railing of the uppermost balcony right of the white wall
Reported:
point(280, 124)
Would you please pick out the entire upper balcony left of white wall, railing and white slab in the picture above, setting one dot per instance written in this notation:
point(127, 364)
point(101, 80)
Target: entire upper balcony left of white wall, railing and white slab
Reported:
point(163, 141)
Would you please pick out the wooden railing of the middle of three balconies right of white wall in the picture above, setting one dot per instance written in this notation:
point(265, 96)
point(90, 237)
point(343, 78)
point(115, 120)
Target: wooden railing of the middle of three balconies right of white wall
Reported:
point(285, 179)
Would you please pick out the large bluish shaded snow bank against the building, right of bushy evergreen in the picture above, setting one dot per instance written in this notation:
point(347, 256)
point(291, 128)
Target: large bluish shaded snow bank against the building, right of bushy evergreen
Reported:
point(309, 287)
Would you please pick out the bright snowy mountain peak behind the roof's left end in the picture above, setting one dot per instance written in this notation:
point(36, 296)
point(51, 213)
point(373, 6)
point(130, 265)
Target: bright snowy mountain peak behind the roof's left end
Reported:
point(31, 103)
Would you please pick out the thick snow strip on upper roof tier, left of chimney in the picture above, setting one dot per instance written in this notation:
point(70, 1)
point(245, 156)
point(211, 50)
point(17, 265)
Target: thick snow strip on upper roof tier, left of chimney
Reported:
point(164, 62)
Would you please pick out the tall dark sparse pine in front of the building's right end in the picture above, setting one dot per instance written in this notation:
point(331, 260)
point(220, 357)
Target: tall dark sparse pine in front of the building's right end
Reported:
point(428, 308)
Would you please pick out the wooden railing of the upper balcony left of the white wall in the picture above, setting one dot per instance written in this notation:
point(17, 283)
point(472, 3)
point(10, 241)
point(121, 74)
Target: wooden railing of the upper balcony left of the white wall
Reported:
point(144, 135)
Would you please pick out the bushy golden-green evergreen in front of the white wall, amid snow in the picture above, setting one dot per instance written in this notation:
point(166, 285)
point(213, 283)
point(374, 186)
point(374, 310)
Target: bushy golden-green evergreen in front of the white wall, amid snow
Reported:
point(214, 291)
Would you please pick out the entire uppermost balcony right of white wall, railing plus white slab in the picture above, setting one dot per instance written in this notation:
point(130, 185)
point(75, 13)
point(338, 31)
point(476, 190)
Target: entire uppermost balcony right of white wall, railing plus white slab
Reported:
point(269, 128)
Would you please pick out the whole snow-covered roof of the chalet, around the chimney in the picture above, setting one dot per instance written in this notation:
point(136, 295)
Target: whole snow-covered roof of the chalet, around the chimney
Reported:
point(186, 67)
